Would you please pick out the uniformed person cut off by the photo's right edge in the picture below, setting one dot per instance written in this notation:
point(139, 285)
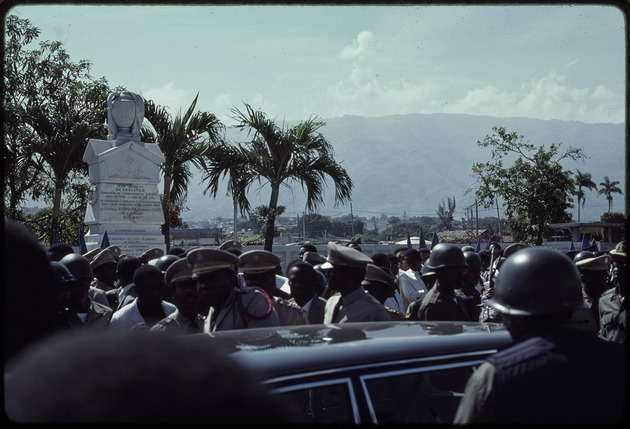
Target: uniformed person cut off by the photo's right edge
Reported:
point(612, 303)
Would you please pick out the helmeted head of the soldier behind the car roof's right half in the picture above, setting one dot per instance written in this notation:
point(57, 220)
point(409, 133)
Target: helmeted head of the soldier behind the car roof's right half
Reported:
point(447, 261)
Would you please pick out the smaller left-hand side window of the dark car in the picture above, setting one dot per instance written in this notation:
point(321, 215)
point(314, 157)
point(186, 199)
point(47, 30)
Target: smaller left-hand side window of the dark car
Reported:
point(326, 402)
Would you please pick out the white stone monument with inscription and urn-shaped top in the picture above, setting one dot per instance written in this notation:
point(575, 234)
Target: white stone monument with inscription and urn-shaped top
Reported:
point(124, 173)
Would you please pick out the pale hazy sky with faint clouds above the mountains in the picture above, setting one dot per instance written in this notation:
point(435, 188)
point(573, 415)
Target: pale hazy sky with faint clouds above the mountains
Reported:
point(541, 61)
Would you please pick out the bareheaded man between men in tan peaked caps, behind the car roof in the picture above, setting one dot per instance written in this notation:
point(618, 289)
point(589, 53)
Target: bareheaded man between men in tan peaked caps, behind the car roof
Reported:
point(303, 283)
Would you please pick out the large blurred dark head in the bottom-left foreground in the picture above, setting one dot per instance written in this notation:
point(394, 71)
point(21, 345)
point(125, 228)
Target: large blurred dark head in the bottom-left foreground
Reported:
point(137, 377)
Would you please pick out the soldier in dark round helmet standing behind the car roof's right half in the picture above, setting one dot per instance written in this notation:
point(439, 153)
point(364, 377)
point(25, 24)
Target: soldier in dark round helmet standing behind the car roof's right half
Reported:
point(441, 302)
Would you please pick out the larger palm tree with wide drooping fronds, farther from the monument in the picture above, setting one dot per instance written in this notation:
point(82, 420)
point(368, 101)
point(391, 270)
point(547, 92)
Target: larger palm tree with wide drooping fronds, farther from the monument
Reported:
point(275, 156)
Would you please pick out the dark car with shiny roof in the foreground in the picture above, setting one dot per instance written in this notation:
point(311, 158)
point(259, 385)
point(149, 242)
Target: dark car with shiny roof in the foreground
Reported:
point(378, 372)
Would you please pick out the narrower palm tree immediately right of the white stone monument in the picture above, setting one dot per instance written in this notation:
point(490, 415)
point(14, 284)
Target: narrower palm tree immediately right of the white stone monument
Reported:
point(183, 141)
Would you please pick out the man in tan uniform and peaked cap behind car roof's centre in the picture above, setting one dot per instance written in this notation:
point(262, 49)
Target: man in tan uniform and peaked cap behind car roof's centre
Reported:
point(351, 304)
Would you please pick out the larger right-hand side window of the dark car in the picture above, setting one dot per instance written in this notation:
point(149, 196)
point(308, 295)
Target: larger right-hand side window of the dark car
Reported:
point(417, 396)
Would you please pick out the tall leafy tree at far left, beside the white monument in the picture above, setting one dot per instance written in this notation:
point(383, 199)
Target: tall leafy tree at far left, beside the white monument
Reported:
point(57, 109)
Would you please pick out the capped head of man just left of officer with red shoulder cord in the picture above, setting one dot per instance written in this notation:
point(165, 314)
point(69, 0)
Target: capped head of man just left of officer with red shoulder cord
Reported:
point(178, 278)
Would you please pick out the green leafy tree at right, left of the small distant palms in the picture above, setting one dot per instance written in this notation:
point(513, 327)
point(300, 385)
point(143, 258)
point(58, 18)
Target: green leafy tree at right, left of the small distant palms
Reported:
point(536, 189)
